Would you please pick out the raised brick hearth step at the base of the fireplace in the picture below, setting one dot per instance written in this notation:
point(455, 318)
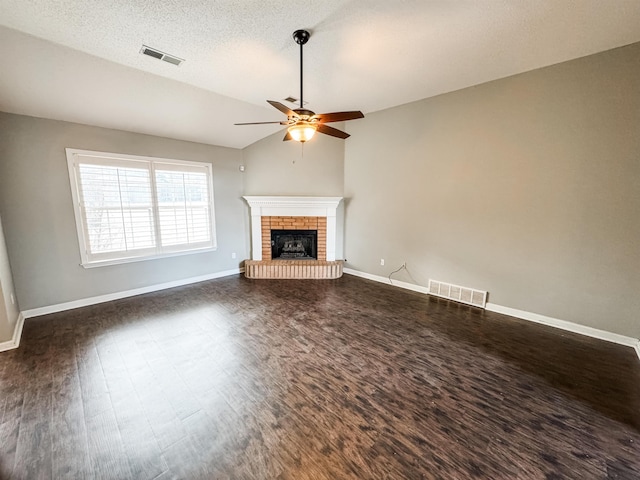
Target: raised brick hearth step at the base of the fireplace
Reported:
point(302, 269)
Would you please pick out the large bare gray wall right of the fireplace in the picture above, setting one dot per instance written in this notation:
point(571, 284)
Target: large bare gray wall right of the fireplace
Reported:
point(528, 187)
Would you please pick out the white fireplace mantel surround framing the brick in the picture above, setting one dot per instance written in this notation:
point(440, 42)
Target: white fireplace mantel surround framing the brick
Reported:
point(267, 206)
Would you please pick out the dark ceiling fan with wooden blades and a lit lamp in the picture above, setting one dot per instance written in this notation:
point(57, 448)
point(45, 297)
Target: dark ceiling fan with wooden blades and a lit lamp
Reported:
point(302, 123)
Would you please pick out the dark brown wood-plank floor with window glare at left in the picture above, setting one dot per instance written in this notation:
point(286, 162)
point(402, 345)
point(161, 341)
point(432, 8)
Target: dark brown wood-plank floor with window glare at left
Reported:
point(337, 379)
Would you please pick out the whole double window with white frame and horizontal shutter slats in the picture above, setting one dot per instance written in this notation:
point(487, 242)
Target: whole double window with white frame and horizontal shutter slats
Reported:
point(131, 208)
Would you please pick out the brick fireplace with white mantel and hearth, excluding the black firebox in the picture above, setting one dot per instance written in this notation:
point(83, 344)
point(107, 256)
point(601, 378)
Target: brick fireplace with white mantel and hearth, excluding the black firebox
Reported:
point(293, 214)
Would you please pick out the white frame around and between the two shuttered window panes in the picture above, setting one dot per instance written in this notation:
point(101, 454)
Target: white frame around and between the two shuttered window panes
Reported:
point(75, 157)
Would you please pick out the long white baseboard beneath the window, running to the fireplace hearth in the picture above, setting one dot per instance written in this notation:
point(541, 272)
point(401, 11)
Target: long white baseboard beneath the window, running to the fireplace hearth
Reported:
point(83, 302)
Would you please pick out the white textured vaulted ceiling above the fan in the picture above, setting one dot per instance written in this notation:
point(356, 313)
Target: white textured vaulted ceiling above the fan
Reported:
point(79, 61)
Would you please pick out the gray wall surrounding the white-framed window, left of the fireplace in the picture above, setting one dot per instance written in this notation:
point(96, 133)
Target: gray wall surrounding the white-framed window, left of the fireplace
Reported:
point(36, 208)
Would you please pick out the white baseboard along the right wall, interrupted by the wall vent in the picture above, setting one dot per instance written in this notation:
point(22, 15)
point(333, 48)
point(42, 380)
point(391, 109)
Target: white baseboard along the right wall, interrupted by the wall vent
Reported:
point(524, 315)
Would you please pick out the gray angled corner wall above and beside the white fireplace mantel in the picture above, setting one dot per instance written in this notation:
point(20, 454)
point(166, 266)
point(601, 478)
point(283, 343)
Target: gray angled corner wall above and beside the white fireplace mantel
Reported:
point(274, 167)
